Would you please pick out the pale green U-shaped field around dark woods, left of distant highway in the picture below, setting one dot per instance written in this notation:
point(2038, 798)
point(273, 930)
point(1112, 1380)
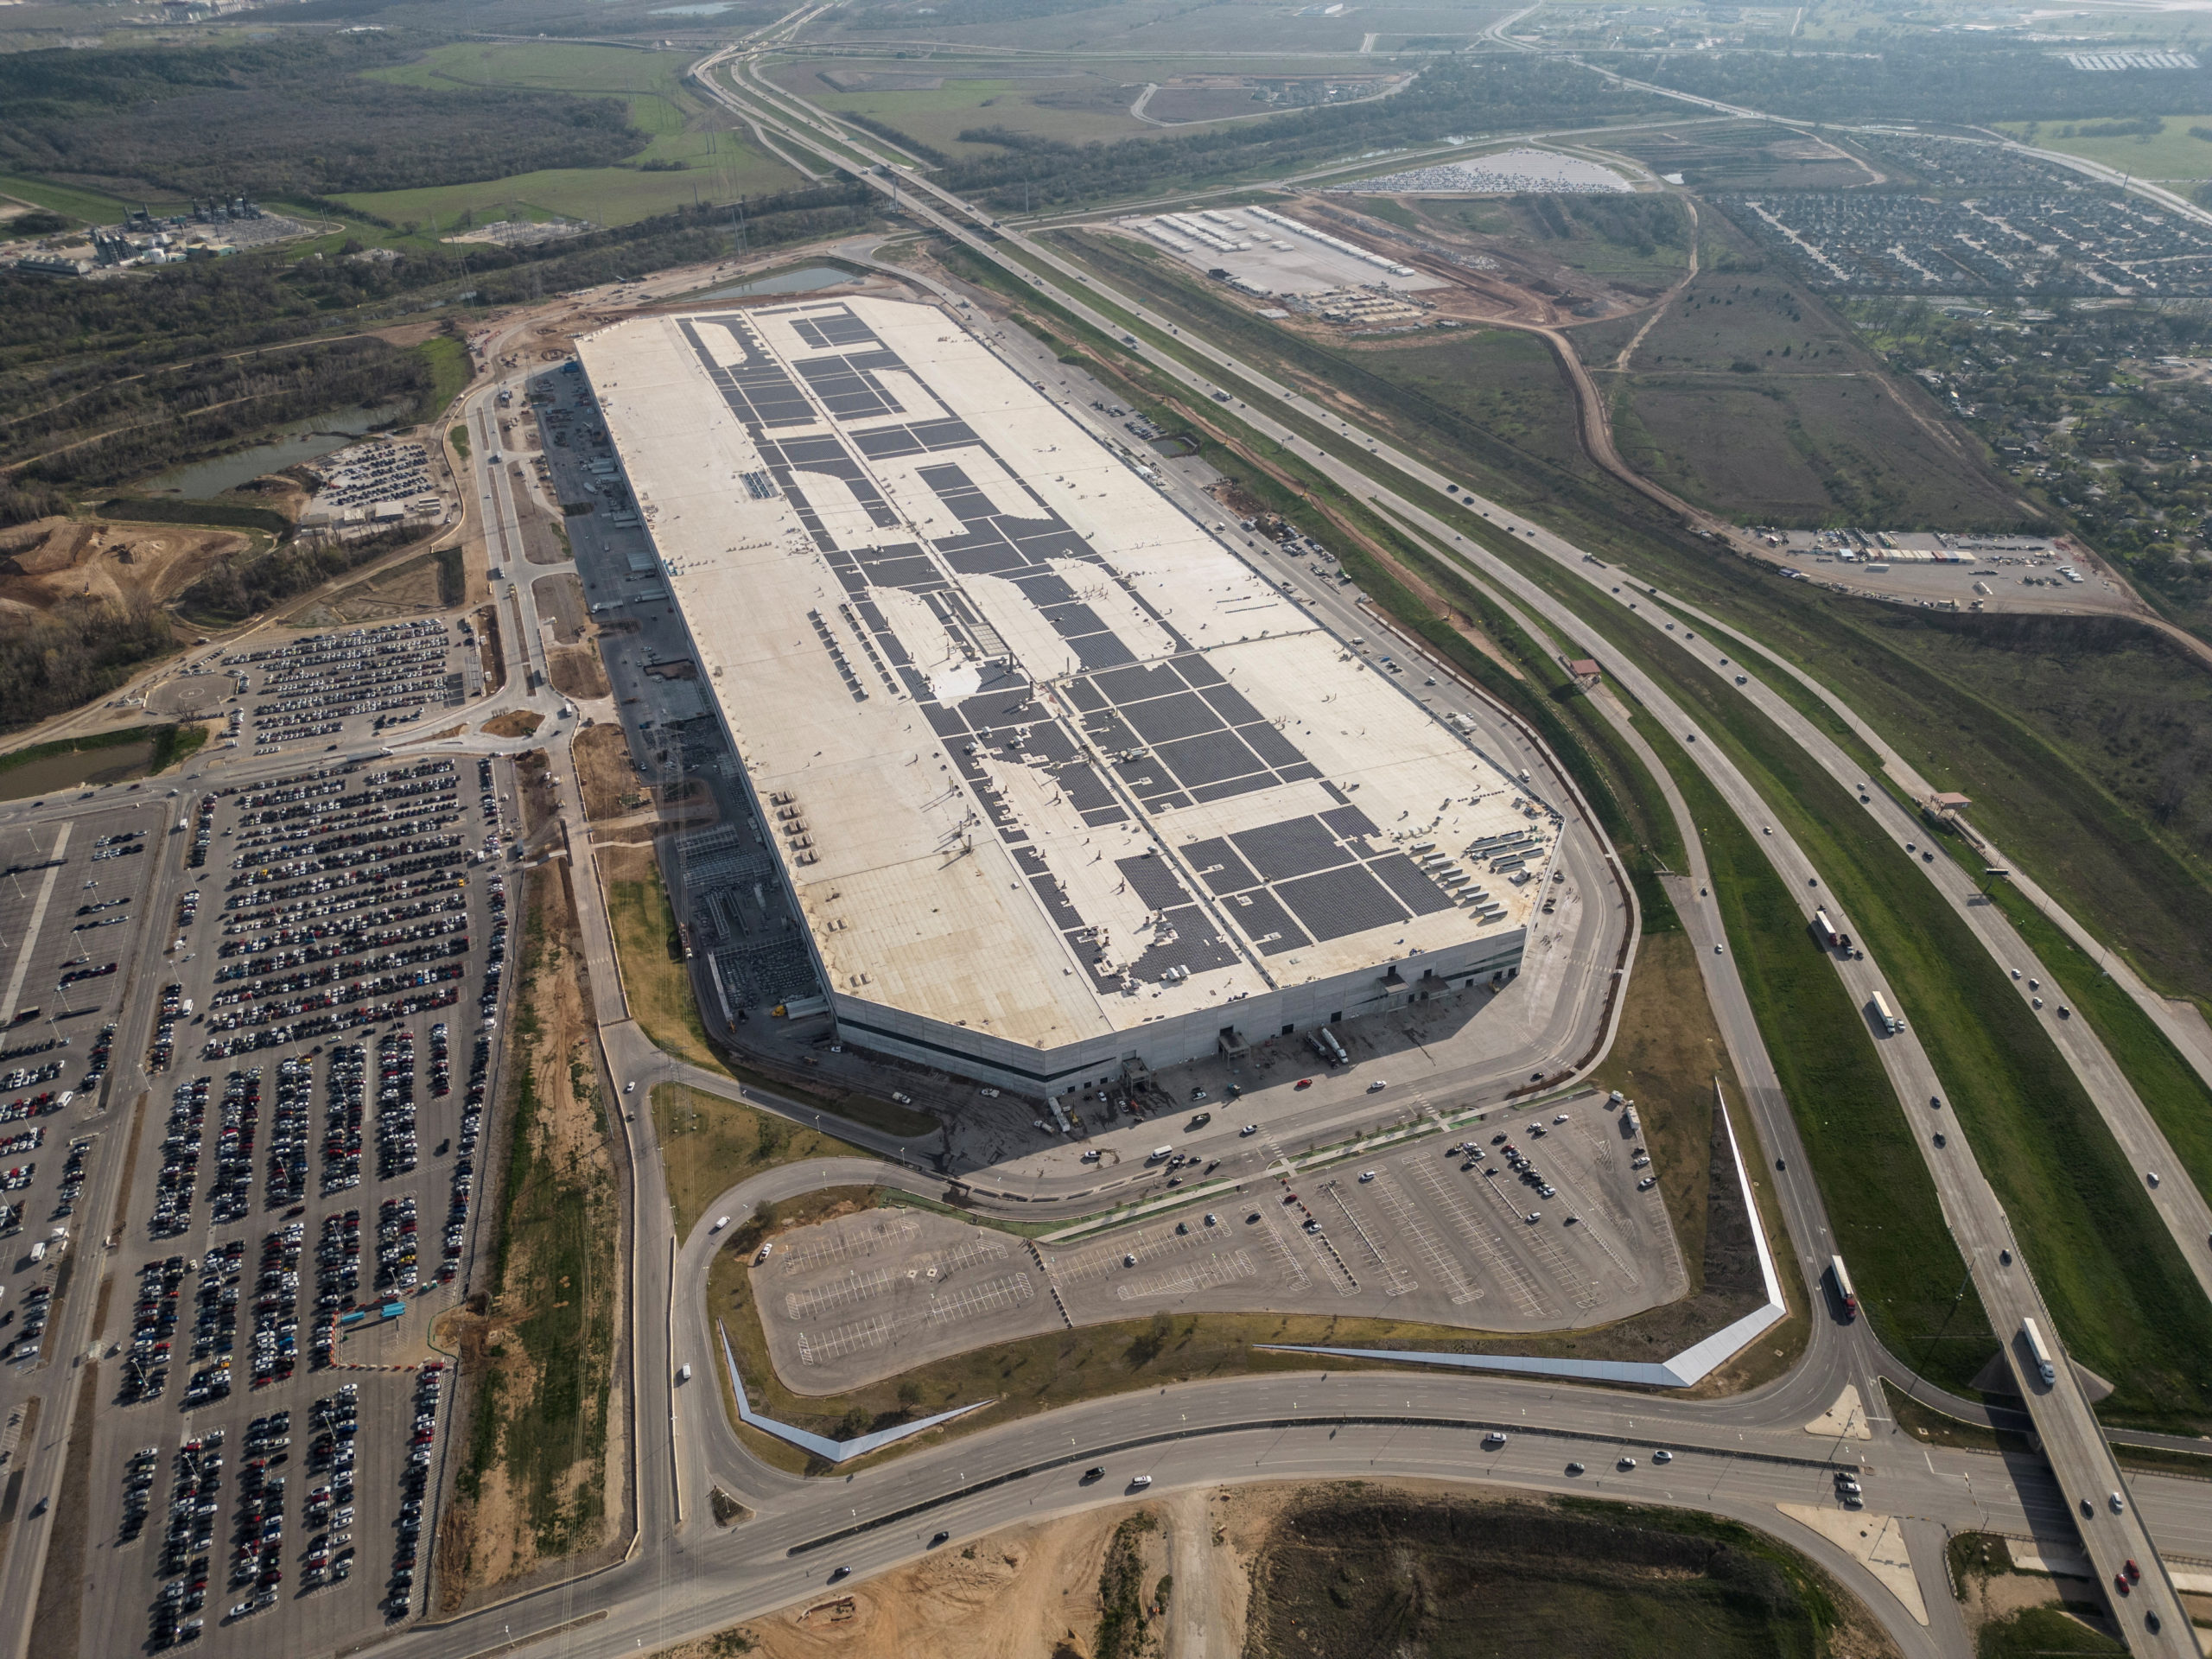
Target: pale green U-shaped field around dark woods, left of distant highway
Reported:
point(716, 165)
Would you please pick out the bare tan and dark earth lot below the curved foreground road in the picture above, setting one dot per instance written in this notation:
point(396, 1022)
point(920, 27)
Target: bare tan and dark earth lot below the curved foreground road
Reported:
point(1355, 1569)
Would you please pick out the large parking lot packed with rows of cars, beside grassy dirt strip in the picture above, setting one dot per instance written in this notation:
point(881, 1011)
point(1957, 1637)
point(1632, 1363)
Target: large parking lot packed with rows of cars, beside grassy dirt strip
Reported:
point(304, 1202)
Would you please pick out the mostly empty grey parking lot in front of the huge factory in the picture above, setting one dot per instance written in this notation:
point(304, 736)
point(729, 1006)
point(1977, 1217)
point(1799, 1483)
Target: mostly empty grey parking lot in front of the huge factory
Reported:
point(1550, 1224)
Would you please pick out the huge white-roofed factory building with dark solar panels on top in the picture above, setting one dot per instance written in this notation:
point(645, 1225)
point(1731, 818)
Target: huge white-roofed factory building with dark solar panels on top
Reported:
point(1058, 780)
